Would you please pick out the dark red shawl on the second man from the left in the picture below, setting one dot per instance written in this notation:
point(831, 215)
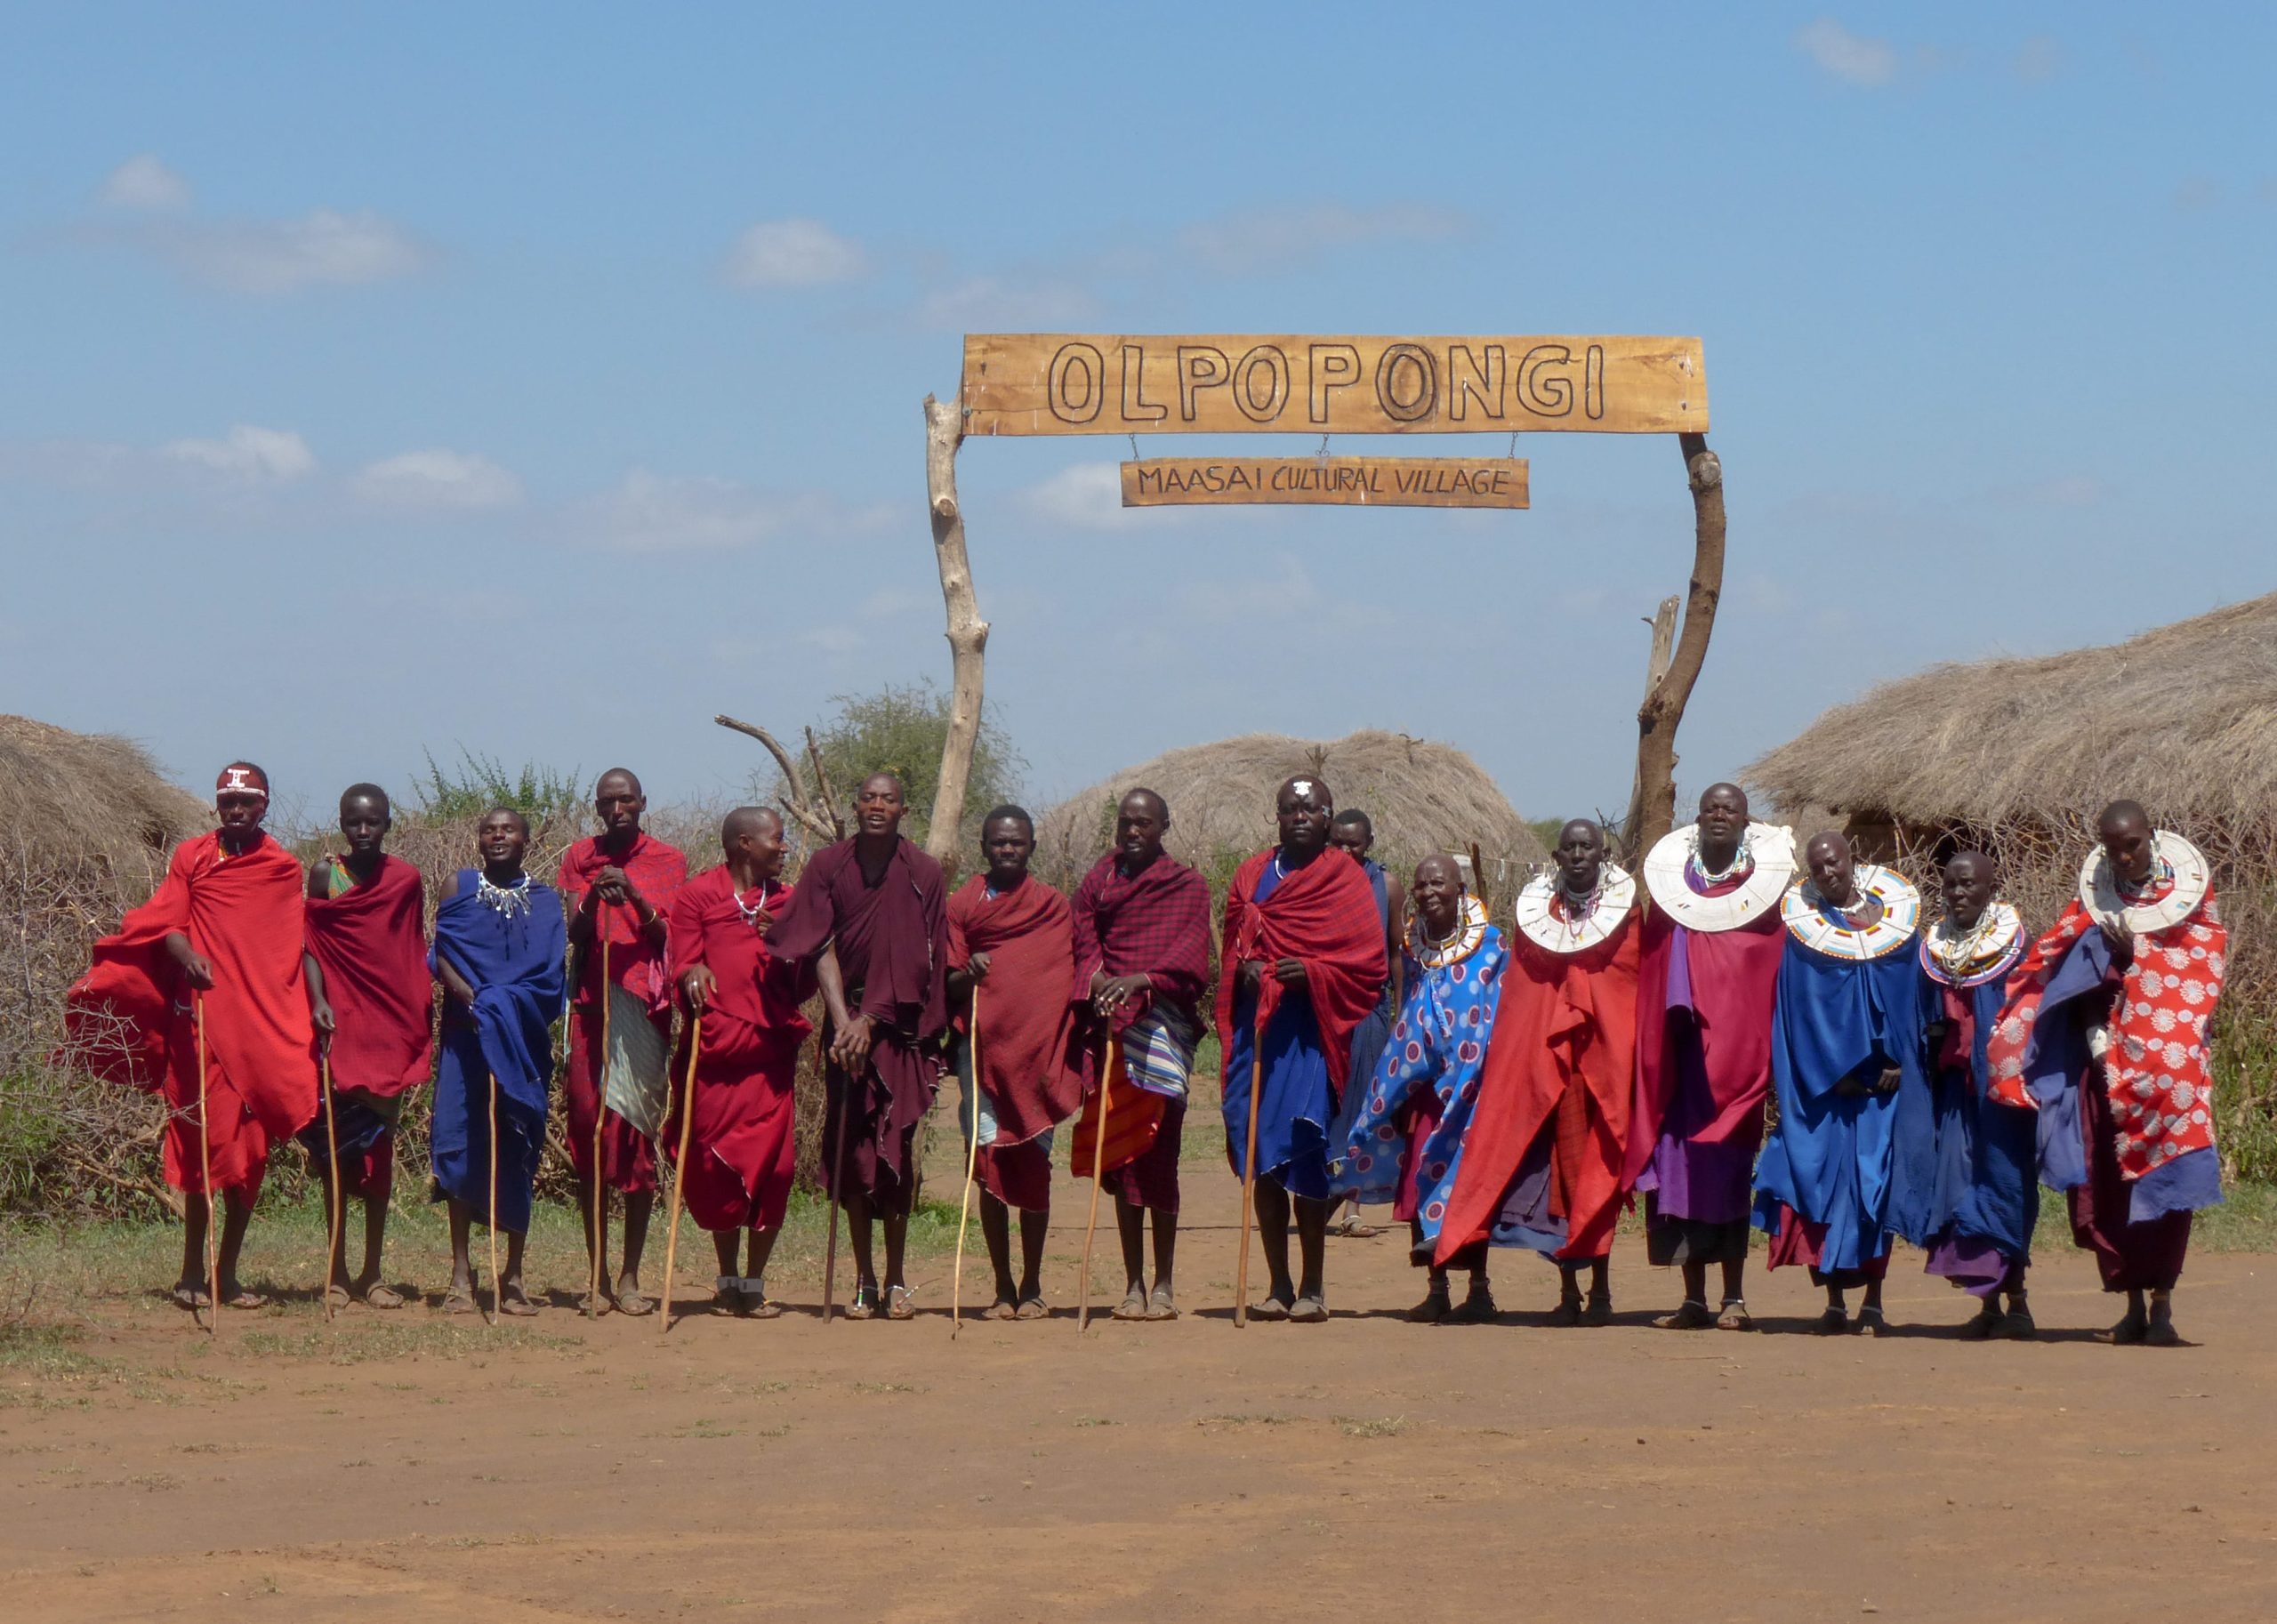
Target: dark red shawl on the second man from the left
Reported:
point(372, 951)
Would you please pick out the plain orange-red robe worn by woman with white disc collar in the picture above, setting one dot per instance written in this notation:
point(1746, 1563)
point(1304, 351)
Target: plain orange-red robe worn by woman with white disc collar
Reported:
point(1568, 1019)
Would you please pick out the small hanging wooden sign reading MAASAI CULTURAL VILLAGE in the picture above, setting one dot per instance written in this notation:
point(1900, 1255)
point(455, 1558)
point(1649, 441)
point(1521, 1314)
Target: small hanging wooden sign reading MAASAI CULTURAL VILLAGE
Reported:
point(1326, 482)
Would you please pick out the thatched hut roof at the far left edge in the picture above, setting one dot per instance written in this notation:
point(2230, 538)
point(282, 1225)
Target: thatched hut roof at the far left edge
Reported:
point(67, 798)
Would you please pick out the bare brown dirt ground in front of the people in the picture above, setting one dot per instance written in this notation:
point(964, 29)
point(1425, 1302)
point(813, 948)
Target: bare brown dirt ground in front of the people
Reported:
point(791, 1470)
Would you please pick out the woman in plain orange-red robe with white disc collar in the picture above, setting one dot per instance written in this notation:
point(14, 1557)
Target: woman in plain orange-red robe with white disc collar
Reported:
point(1545, 1158)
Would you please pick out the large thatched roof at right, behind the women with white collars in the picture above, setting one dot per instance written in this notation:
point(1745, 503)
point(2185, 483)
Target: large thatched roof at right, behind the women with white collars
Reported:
point(2180, 719)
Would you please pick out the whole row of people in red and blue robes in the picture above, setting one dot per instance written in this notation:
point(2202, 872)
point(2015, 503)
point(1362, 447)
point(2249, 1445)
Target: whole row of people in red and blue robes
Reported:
point(1379, 1042)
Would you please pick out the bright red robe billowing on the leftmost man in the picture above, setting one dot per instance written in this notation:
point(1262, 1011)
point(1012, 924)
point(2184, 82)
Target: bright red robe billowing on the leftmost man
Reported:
point(131, 1017)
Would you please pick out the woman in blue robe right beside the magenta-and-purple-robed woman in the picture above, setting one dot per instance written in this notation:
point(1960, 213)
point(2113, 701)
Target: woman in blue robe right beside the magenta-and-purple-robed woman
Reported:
point(1846, 1044)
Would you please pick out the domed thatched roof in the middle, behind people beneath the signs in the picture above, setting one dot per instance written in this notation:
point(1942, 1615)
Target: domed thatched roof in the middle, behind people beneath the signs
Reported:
point(1420, 796)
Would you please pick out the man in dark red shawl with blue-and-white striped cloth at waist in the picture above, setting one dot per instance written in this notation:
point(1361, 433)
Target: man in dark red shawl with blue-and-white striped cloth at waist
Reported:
point(1142, 962)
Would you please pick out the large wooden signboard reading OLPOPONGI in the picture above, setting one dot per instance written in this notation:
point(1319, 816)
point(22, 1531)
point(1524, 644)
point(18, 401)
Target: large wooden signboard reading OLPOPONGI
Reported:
point(1071, 384)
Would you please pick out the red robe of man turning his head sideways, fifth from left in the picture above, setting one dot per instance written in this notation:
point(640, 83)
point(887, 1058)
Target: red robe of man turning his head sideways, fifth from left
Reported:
point(741, 1151)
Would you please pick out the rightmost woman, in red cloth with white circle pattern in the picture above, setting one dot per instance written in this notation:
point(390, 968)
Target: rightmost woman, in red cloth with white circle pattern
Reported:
point(2105, 1033)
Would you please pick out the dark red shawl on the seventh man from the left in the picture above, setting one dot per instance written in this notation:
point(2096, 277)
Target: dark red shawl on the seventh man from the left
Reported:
point(1033, 1051)
